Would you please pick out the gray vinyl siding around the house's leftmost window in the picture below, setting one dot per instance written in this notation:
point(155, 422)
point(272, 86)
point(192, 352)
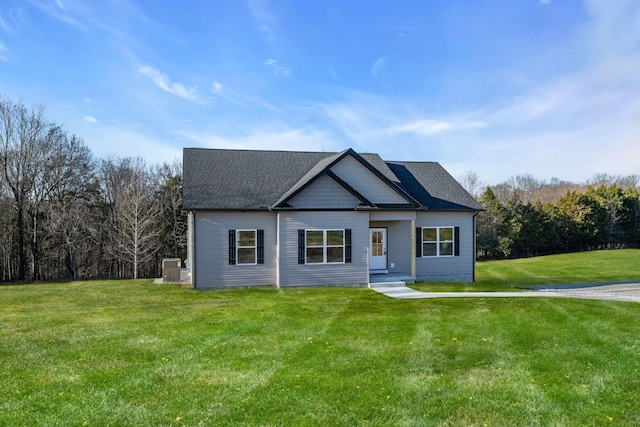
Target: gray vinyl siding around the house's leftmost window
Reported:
point(212, 269)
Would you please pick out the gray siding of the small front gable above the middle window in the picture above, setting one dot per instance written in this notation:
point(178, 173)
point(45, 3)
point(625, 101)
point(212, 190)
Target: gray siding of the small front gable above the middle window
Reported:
point(324, 193)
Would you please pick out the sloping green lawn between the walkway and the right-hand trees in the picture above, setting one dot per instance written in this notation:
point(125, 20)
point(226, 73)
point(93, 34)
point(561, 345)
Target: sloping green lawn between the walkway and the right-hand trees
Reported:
point(576, 268)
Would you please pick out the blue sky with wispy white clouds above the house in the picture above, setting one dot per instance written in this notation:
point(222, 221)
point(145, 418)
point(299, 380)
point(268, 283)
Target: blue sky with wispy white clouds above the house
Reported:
point(545, 87)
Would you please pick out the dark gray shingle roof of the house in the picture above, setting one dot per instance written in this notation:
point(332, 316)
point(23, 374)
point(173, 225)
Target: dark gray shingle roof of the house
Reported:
point(257, 179)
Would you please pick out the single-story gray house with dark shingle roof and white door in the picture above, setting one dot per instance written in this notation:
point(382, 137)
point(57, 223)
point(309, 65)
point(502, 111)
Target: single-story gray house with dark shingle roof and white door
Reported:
point(288, 218)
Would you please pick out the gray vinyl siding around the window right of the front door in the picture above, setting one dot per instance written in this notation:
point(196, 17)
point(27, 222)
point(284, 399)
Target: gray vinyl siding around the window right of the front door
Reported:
point(456, 268)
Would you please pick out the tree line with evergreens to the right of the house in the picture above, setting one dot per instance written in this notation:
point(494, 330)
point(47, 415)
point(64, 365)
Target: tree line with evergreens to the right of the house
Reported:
point(526, 217)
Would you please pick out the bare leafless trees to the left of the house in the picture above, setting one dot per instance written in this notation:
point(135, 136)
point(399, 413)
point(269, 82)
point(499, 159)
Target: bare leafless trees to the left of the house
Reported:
point(65, 214)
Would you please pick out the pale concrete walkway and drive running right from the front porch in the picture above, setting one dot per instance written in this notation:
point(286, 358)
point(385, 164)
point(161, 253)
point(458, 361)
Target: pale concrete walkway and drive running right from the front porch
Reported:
point(619, 292)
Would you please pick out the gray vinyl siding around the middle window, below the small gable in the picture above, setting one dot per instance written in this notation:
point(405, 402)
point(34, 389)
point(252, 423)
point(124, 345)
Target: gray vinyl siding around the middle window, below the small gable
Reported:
point(294, 274)
